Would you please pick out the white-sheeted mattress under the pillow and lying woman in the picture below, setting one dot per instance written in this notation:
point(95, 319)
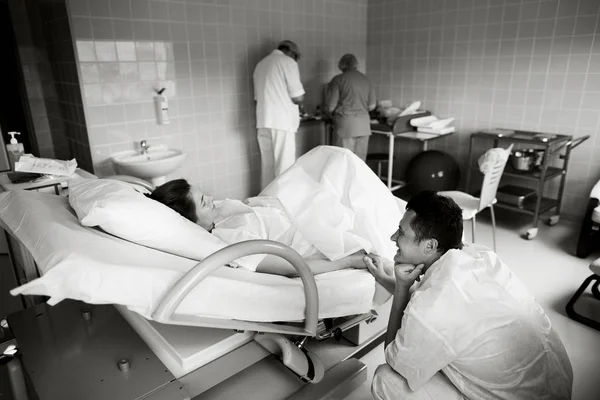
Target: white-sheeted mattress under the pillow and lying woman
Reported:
point(89, 265)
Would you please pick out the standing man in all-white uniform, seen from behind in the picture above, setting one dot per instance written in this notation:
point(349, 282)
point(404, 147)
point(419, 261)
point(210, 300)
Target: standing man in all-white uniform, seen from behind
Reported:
point(278, 93)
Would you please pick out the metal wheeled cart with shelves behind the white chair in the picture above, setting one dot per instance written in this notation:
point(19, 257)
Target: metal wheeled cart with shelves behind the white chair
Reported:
point(552, 145)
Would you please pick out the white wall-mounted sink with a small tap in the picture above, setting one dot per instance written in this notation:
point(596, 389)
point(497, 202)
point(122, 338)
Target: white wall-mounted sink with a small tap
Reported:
point(153, 166)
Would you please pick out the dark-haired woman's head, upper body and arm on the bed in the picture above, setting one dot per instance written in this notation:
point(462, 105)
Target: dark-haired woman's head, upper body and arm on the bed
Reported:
point(235, 221)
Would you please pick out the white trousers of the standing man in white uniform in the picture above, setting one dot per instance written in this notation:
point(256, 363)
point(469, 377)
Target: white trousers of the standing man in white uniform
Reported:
point(277, 151)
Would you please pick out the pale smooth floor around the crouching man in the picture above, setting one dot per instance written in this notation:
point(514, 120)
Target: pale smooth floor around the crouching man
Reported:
point(548, 267)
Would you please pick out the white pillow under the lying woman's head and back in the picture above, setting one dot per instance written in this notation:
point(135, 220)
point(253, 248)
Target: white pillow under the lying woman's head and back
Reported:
point(120, 210)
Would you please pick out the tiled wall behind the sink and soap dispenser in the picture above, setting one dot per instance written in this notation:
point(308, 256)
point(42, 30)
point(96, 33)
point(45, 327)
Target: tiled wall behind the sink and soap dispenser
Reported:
point(204, 53)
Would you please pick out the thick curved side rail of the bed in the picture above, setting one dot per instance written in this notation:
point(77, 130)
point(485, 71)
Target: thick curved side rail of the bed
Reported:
point(181, 289)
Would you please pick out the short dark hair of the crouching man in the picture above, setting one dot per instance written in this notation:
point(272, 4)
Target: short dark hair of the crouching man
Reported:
point(437, 217)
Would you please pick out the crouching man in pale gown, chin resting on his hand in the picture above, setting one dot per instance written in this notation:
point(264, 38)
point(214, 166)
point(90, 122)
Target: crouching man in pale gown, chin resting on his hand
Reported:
point(468, 328)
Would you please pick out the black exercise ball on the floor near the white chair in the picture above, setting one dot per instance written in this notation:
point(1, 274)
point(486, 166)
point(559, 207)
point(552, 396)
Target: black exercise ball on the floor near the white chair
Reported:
point(433, 170)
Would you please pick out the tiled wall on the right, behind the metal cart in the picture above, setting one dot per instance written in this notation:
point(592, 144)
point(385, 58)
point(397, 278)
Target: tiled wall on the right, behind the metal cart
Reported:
point(526, 64)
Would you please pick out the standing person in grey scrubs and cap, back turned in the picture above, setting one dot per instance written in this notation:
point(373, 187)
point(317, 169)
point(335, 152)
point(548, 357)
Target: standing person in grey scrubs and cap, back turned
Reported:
point(350, 97)
